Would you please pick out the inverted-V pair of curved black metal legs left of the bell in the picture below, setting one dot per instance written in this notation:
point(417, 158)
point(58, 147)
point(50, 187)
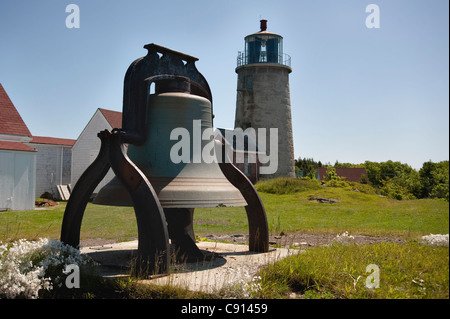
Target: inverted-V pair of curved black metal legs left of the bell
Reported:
point(153, 240)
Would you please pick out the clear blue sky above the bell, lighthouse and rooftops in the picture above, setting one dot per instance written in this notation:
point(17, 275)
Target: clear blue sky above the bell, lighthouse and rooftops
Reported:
point(357, 94)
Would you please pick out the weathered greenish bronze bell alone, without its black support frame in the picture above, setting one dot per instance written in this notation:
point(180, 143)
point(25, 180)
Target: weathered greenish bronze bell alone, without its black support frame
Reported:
point(171, 157)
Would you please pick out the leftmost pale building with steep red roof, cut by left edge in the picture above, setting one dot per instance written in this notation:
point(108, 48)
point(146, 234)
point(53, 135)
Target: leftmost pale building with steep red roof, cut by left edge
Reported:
point(17, 159)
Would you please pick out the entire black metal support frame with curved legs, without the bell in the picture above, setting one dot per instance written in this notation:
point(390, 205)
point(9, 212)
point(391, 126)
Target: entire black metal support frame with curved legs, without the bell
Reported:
point(174, 72)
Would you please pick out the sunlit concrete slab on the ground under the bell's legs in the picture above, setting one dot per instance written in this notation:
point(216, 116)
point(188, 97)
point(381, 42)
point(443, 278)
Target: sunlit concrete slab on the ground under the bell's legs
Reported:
point(224, 264)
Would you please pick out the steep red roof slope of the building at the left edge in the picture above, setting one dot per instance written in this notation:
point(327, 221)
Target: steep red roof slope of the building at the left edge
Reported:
point(11, 122)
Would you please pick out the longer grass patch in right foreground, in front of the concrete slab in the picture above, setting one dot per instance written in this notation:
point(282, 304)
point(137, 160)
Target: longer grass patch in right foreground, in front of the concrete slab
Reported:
point(339, 271)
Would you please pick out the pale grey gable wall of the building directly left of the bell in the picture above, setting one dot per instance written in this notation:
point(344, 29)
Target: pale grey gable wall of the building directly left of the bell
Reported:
point(87, 147)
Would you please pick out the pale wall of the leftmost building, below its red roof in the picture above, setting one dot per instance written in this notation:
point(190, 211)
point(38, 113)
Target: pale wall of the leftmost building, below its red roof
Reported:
point(17, 180)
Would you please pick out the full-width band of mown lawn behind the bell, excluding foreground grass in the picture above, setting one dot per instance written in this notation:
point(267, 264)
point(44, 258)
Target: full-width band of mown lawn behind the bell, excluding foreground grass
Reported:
point(356, 212)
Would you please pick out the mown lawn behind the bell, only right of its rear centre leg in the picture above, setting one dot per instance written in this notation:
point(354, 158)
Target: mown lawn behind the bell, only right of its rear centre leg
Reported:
point(355, 212)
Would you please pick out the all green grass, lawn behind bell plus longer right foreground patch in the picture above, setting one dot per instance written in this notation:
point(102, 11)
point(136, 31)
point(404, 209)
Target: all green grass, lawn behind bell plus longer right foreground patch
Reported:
point(409, 270)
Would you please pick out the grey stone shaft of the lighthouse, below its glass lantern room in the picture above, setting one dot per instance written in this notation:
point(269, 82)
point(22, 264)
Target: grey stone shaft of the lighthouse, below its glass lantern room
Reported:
point(263, 101)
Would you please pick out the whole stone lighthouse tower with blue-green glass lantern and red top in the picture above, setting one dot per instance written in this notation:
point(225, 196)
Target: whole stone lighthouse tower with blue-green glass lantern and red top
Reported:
point(263, 98)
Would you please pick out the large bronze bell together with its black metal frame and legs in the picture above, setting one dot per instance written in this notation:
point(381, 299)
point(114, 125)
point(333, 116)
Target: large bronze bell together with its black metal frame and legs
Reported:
point(164, 191)
